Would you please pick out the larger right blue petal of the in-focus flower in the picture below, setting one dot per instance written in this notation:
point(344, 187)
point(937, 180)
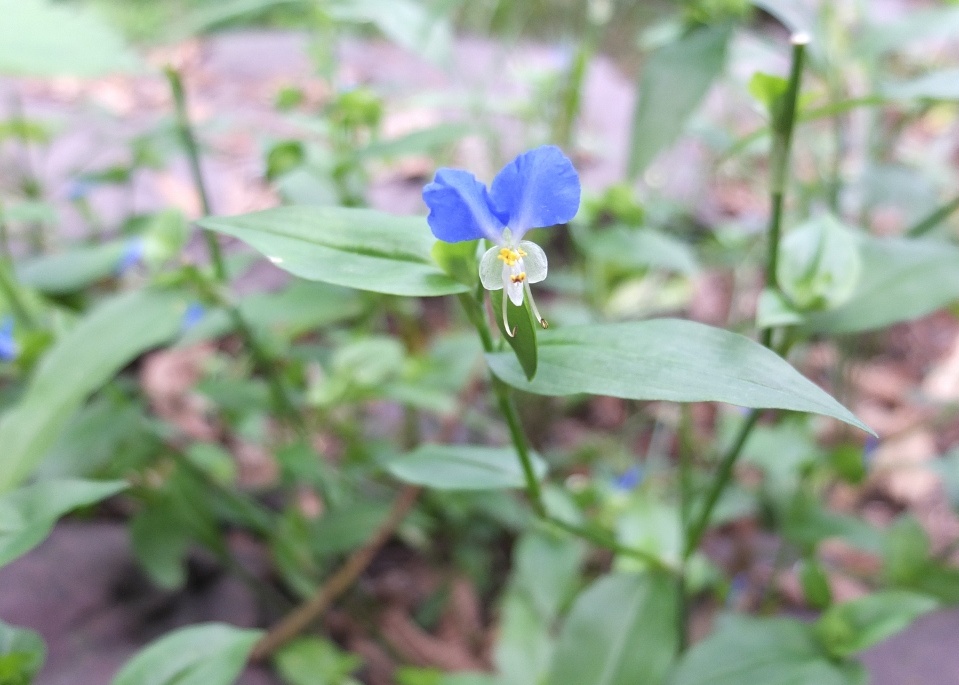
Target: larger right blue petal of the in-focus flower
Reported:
point(538, 188)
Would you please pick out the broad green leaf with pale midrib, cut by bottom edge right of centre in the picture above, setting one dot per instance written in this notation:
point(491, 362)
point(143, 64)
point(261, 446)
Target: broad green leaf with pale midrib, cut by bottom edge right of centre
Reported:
point(620, 631)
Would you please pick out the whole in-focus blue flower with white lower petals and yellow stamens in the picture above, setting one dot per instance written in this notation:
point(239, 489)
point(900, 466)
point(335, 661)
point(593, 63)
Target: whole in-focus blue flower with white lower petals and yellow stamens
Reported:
point(537, 189)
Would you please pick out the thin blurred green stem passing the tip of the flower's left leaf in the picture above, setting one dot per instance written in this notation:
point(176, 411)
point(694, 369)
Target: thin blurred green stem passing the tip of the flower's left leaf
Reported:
point(278, 393)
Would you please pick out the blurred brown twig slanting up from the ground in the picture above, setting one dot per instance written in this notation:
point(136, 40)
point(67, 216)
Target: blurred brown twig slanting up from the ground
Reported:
point(304, 615)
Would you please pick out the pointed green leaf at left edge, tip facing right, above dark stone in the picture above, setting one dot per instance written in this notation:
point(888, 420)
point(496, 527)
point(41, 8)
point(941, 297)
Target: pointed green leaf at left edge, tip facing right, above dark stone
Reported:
point(27, 515)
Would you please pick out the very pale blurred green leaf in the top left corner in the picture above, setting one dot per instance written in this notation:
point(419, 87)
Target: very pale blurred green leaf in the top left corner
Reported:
point(41, 38)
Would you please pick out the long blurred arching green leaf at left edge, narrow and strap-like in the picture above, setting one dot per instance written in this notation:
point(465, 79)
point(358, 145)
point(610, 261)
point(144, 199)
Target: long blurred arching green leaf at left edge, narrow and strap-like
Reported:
point(79, 363)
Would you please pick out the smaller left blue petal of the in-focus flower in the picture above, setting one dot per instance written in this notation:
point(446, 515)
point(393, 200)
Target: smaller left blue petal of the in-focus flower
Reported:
point(460, 208)
